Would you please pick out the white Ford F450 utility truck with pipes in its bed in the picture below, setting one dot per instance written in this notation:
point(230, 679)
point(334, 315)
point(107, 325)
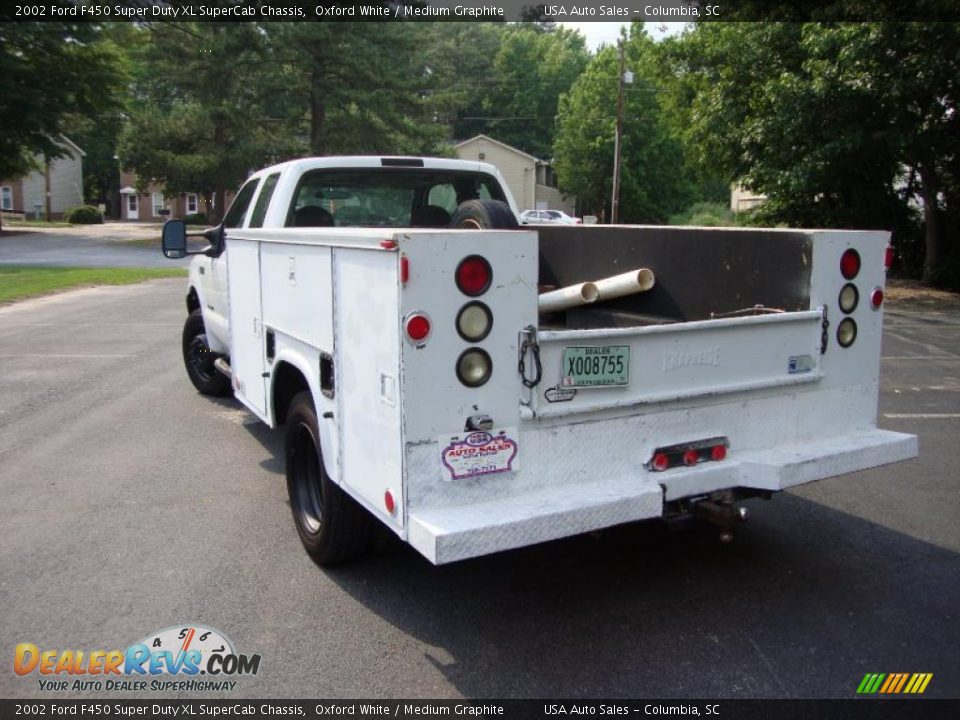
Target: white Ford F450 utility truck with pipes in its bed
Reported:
point(476, 387)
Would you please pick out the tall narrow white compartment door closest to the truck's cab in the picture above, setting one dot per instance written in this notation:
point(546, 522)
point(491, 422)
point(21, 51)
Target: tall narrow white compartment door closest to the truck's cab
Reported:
point(246, 325)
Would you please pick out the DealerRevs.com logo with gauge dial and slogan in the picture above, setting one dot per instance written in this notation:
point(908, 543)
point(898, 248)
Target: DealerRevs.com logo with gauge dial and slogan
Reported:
point(179, 658)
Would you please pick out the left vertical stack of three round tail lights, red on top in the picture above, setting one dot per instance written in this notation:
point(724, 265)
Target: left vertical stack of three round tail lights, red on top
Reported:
point(474, 276)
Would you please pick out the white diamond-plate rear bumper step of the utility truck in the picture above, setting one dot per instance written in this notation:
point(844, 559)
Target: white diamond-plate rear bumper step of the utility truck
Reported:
point(447, 534)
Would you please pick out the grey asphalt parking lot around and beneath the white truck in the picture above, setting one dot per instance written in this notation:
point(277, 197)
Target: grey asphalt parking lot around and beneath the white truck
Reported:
point(129, 503)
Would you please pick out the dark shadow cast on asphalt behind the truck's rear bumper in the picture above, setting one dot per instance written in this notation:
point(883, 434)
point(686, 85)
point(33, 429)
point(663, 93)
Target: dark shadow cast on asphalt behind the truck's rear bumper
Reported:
point(802, 604)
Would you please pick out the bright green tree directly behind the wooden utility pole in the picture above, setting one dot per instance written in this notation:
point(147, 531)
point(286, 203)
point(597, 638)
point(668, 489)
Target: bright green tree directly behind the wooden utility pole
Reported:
point(654, 182)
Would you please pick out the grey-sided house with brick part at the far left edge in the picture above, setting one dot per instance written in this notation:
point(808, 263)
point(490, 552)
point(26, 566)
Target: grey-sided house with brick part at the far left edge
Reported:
point(61, 179)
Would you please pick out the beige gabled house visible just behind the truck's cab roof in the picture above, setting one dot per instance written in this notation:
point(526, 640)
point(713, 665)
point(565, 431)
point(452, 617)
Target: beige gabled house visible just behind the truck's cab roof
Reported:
point(531, 180)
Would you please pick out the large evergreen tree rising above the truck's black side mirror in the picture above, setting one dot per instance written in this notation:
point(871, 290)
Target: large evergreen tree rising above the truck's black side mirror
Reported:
point(206, 112)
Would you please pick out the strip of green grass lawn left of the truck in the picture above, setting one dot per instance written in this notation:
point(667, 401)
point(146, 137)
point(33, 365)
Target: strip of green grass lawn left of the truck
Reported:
point(22, 281)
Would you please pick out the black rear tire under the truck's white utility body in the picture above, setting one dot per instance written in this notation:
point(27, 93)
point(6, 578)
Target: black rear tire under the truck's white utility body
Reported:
point(332, 526)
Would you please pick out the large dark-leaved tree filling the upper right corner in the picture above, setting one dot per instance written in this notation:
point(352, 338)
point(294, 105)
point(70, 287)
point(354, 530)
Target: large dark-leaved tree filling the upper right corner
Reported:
point(845, 125)
